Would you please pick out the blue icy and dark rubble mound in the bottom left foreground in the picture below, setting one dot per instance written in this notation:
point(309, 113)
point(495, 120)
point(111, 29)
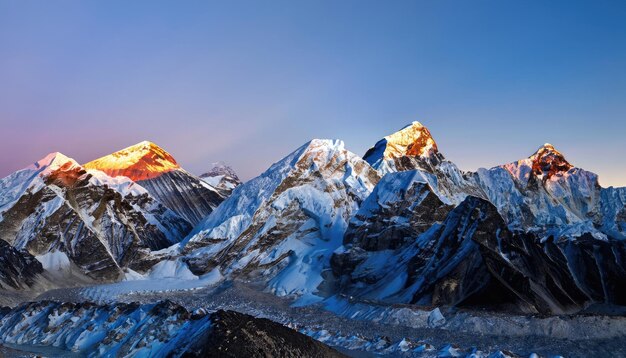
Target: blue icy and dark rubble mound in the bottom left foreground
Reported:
point(156, 330)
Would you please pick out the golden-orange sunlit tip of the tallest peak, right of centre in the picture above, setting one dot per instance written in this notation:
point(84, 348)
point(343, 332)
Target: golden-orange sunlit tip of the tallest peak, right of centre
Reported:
point(414, 140)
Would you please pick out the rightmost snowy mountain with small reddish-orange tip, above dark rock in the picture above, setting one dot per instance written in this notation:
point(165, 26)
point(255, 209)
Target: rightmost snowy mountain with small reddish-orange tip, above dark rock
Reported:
point(547, 195)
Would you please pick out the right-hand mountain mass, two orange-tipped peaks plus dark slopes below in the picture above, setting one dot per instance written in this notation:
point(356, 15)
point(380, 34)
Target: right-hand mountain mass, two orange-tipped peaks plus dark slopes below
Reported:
point(551, 242)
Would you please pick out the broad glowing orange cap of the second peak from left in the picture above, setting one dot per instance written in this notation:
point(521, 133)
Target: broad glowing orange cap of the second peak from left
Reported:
point(141, 161)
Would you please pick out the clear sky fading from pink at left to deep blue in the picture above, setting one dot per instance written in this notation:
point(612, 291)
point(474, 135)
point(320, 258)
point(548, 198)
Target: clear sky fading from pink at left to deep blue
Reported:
point(248, 82)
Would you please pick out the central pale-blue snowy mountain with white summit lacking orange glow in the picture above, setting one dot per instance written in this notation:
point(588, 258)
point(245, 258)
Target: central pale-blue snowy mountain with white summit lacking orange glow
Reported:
point(283, 225)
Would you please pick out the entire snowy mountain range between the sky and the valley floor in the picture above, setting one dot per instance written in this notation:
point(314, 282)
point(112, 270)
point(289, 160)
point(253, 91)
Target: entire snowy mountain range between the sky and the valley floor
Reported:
point(400, 225)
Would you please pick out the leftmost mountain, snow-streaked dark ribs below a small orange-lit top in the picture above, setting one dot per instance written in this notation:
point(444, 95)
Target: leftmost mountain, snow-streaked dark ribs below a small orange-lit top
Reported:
point(62, 214)
